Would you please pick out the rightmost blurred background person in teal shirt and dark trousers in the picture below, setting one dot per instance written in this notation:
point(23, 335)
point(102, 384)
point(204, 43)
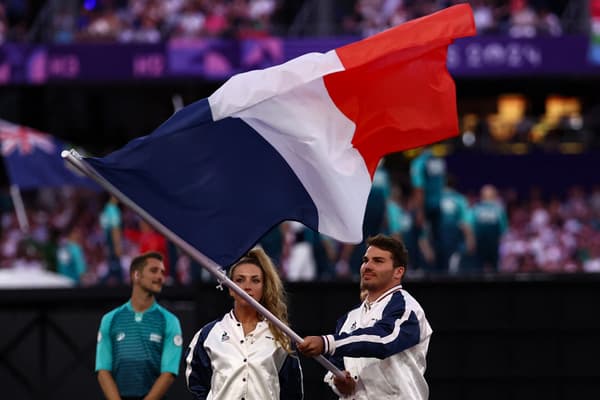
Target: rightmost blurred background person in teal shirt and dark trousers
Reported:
point(489, 224)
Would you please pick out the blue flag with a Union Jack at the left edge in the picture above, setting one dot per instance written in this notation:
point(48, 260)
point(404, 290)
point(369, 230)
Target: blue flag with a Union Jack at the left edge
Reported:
point(33, 160)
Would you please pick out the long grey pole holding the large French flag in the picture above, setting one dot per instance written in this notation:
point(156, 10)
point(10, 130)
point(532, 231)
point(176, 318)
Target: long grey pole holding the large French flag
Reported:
point(75, 159)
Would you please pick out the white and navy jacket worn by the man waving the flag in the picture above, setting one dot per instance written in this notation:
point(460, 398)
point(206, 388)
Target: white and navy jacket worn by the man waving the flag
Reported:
point(383, 346)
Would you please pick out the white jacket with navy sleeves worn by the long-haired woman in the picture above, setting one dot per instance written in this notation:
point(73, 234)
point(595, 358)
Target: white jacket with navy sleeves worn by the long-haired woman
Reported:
point(222, 363)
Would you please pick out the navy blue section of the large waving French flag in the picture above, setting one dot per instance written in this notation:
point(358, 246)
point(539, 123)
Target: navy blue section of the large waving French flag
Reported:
point(219, 185)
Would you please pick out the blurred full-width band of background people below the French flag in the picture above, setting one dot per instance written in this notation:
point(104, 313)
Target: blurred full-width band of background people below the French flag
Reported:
point(91, 238)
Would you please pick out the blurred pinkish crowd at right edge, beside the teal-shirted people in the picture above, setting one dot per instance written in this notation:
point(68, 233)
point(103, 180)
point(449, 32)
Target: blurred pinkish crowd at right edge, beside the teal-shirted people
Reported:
point(554, 235)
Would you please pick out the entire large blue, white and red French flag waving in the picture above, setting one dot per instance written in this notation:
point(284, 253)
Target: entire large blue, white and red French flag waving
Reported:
point(298, 141)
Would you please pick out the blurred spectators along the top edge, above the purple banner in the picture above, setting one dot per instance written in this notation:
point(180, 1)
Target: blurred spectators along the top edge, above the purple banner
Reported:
point(151, 21)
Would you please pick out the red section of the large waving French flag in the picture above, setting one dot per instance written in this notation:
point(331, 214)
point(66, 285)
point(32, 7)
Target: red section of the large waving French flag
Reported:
point(396, 86)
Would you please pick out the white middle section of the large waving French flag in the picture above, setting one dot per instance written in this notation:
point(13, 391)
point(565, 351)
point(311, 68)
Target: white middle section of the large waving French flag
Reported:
point(304, 125)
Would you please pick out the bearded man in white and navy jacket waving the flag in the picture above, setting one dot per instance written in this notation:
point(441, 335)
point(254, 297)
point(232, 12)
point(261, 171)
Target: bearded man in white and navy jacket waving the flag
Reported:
point(382, 344)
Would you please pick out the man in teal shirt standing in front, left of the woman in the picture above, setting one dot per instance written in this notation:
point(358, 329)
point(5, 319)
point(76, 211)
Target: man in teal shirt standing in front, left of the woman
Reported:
point(139, 343)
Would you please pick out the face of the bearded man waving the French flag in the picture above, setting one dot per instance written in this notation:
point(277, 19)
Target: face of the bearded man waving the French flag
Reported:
point(377, 272)
